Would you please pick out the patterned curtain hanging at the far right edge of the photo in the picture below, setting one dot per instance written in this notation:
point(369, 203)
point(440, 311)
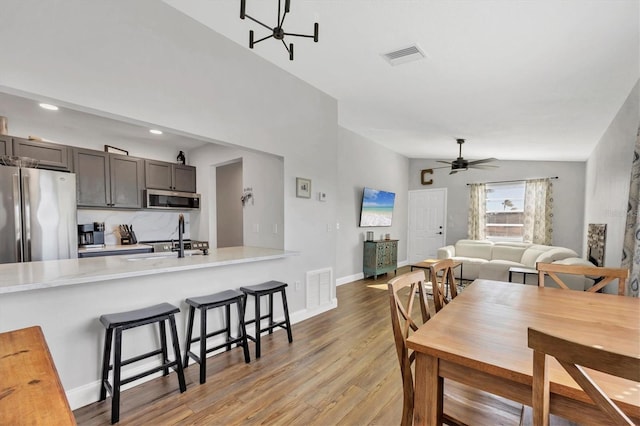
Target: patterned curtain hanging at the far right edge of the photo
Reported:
point(631, 247)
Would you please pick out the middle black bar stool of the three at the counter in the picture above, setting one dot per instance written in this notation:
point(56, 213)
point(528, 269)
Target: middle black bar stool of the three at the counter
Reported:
point(204, 303)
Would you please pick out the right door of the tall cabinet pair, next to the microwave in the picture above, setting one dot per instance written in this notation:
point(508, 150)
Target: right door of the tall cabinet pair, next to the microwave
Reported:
point(127, 181)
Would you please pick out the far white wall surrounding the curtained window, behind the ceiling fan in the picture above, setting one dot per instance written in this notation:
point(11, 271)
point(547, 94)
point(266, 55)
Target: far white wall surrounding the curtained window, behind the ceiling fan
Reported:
point(568, 193)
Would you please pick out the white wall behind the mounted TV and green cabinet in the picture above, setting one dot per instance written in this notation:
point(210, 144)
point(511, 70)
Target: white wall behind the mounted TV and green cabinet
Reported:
point(364, 163)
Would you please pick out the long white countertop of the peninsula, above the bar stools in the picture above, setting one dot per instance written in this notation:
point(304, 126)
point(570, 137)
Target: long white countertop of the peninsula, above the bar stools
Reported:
point(15, 277)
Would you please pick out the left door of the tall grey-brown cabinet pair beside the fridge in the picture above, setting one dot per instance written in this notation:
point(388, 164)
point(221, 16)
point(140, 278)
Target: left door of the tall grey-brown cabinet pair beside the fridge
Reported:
point(92, 177)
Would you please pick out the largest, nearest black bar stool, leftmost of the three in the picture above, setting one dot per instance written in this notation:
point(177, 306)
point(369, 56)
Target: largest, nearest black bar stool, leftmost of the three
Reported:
point(126, 320)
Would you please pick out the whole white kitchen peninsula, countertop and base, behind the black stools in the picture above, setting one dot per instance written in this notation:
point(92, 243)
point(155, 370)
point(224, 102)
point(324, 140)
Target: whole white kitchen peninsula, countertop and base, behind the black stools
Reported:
point(66, 298)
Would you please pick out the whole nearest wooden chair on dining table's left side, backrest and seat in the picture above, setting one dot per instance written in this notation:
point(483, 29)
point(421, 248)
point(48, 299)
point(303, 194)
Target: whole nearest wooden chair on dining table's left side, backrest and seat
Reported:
point(471, 406)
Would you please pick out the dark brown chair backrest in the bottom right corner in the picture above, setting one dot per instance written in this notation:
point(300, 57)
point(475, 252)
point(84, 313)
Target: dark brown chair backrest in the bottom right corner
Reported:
point(572, 356)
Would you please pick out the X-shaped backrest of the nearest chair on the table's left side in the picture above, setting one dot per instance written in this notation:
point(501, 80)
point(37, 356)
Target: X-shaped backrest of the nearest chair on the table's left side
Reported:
point(403, 291)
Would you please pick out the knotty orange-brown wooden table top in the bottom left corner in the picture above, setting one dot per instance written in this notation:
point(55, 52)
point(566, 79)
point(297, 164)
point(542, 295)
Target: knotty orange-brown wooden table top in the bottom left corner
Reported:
point(30, 389)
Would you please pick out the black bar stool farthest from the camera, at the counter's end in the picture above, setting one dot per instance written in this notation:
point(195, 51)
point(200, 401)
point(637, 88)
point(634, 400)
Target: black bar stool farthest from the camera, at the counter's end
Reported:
point(268, 288)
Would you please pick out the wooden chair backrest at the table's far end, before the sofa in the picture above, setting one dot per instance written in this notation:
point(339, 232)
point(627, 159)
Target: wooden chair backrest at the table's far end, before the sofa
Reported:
point(607, 275)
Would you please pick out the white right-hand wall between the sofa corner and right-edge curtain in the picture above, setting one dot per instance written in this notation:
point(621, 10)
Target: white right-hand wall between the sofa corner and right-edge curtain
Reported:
point(608, 175)
